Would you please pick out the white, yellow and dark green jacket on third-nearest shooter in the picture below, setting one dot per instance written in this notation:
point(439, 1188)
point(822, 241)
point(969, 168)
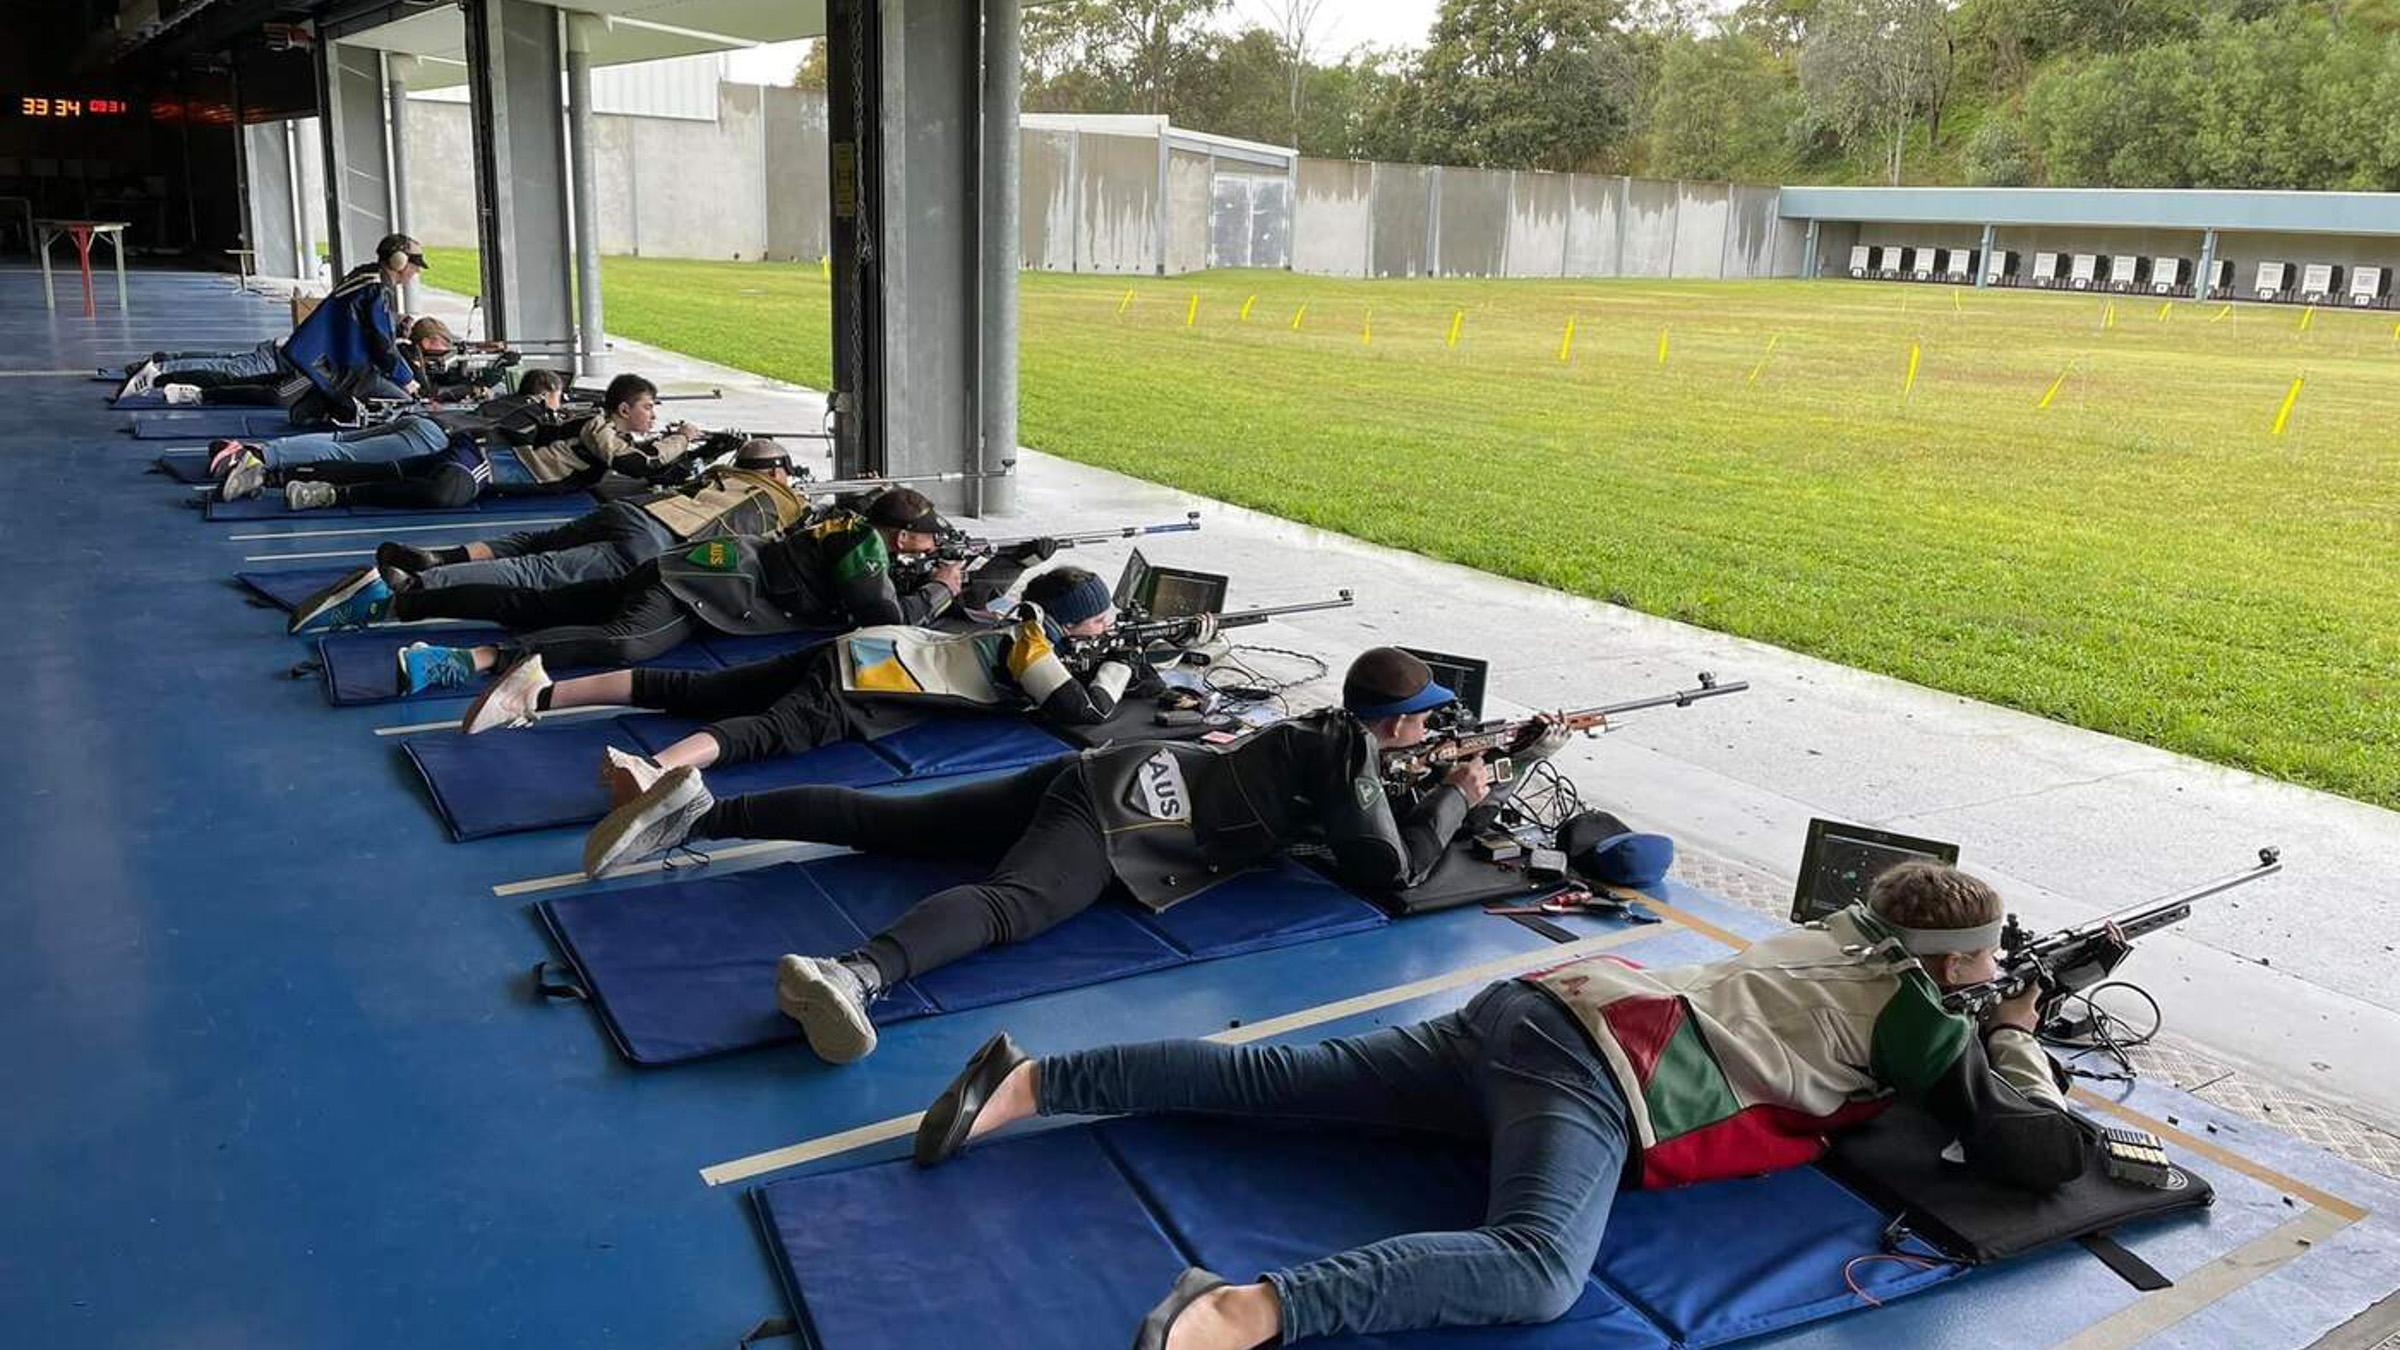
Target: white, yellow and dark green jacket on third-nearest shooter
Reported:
point(1004, 667)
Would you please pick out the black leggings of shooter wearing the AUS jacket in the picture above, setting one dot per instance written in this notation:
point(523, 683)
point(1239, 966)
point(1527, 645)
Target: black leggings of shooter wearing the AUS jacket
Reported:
point(1036, 828)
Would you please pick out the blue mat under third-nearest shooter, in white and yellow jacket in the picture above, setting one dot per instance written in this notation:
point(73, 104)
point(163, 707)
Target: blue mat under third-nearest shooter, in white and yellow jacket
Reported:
point(548, 775)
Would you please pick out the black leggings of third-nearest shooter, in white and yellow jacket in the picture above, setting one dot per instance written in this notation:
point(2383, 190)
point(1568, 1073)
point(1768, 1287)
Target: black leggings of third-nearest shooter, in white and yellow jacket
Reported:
point(772, 707)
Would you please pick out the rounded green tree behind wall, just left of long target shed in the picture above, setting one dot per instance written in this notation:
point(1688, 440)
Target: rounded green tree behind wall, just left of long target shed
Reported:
point(1722, 109)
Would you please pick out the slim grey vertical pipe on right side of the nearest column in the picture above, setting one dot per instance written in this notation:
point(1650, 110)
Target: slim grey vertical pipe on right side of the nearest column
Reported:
point(1000, 323)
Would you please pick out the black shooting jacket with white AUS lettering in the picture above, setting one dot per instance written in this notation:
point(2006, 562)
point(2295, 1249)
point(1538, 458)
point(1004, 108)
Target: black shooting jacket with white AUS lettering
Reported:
point(1182, 818)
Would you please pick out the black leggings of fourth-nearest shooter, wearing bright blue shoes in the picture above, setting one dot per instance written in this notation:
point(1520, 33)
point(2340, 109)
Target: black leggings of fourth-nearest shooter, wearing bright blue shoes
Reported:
point(618, 621)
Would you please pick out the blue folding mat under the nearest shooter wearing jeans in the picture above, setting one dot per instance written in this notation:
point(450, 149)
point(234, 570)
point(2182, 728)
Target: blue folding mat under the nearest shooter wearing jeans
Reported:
point(1067, 1238)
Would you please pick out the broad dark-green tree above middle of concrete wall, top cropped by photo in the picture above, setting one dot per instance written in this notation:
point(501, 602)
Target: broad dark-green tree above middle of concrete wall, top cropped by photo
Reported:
point(1525, 85)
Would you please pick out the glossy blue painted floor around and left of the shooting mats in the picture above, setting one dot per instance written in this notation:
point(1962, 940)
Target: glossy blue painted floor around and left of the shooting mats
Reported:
point(275, 1070)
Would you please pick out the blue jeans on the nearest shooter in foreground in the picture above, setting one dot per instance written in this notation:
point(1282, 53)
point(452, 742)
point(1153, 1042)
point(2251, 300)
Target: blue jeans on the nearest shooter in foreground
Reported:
point(1511, 1070)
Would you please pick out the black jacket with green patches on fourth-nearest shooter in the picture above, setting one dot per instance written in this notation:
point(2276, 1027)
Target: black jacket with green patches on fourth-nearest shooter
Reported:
point(832, 573)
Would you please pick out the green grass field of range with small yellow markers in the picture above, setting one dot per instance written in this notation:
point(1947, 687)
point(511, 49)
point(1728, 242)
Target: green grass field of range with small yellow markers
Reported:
point(2142, 556)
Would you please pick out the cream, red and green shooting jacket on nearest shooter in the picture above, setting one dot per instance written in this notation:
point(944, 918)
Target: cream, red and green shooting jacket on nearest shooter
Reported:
point(1746, 1065)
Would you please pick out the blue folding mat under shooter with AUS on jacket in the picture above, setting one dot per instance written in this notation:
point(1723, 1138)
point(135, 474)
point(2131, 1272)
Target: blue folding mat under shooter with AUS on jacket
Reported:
point(688, 969)
